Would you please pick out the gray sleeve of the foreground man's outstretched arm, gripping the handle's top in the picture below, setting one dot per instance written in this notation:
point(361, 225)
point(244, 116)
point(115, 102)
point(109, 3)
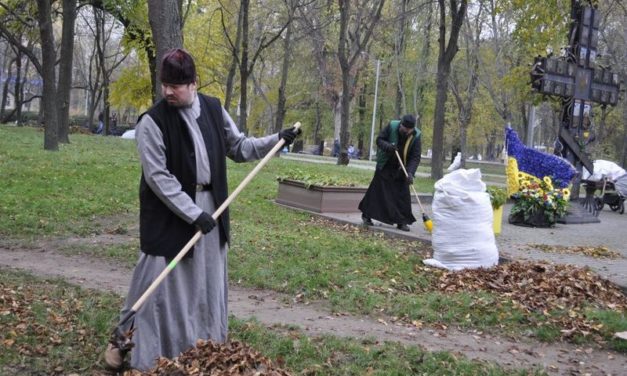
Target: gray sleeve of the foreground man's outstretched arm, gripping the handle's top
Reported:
point(241, 148)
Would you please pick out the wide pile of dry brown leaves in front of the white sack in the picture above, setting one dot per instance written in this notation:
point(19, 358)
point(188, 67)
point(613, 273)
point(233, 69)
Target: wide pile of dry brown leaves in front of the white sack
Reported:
point(544, 289)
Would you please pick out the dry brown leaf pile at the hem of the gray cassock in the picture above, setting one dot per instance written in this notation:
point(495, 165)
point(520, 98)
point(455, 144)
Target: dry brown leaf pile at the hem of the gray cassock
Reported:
point(209, 358)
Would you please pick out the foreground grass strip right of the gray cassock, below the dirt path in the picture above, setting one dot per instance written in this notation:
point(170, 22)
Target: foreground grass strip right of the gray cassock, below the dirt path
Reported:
point(329, 355)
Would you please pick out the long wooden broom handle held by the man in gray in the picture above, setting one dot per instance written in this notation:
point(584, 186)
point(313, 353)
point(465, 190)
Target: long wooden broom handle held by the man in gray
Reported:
point(215, 216)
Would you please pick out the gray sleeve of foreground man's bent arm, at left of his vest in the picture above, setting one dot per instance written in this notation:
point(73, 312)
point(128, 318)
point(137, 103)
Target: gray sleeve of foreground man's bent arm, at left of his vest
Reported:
point(165, 185)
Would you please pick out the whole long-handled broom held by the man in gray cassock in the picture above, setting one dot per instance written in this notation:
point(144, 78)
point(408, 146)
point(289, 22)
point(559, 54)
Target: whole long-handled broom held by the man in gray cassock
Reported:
point(121, 341)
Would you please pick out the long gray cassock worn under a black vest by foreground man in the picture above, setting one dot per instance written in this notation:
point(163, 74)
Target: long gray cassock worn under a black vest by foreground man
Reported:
point(191, 302)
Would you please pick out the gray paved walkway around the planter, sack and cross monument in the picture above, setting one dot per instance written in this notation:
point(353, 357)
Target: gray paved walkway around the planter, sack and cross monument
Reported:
point(517, 243)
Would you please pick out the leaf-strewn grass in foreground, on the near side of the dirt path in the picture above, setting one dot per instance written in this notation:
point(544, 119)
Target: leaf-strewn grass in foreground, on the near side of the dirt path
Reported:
point(48, 326)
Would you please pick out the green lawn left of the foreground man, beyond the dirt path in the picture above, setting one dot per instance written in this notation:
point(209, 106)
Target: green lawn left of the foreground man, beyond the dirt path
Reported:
point(64, 192)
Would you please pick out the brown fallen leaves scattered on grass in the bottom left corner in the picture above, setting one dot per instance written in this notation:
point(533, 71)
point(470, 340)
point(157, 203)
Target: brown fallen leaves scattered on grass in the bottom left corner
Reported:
point(41, 319)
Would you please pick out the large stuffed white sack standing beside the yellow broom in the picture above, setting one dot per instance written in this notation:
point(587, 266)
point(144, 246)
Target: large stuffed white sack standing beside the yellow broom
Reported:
point(462, 223)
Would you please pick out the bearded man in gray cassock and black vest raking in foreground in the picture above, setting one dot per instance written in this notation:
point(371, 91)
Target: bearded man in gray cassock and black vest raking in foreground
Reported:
point(183, 141)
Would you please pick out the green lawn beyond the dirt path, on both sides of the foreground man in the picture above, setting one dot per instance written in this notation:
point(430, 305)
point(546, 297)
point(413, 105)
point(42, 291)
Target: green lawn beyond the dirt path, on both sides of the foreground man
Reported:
point(95, 181)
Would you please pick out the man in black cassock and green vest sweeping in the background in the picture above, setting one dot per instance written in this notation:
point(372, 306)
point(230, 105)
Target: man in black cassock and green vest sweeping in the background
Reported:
point(388, 199)
